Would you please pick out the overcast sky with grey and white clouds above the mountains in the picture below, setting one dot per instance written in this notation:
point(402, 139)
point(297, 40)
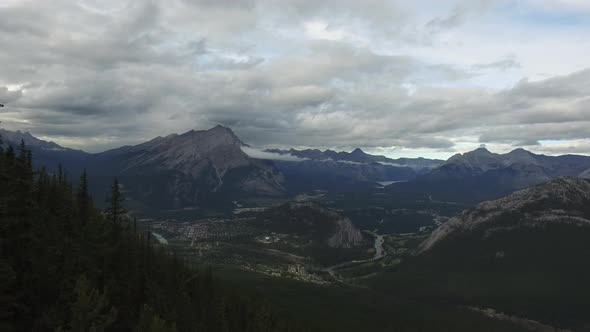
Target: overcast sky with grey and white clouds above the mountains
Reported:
point(398, 78)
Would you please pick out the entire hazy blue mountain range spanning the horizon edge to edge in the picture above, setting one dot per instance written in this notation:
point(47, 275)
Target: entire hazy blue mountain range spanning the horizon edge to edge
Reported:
point(211, 166)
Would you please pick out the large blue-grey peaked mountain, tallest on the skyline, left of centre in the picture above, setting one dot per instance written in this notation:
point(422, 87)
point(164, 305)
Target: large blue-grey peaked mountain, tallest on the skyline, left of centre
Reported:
point(181, 170)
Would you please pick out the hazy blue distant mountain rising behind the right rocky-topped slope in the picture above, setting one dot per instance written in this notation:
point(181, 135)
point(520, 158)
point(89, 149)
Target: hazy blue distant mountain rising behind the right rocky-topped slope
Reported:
point(480, 175)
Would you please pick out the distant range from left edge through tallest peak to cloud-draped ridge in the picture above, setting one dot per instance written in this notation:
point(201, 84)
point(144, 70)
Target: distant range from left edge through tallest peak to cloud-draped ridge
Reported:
point(210, 166)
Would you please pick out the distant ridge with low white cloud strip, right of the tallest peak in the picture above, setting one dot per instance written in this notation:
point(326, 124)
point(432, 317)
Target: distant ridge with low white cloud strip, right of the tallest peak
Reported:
point(330, 170)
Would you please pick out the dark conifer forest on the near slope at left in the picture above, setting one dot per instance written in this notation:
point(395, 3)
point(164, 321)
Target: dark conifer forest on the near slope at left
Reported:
point(66, 266)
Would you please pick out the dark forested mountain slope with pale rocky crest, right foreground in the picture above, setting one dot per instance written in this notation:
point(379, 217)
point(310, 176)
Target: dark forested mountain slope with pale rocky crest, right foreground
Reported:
point(525, 255)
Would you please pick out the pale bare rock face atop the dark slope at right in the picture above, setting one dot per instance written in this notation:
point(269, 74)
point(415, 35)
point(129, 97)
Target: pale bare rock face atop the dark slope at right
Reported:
point(564, 201)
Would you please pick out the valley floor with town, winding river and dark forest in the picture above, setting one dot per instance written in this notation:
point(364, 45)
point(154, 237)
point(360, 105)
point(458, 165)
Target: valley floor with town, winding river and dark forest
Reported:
point(374, 288)
